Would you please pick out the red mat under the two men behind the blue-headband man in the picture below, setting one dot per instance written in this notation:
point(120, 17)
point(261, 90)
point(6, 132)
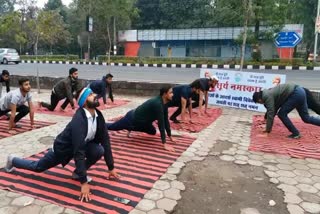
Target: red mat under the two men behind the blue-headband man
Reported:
point(69, 113)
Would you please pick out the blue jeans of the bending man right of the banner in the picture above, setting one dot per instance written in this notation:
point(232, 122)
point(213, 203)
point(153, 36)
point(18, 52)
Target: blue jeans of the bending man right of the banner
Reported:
point(297, 100)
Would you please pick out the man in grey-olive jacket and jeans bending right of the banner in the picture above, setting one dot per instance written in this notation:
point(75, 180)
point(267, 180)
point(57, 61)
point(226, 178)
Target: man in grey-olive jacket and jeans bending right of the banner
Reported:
point(281, 100)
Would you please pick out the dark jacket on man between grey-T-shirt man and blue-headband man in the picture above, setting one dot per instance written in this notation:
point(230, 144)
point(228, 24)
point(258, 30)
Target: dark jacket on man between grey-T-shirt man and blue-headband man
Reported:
point(65, 88)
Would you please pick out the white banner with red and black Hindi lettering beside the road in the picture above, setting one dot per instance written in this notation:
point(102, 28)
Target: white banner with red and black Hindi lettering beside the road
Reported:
point(235, 88)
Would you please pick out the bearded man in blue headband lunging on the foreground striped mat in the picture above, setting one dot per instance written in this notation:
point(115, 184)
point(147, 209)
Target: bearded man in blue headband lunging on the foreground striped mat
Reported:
point(85, 139)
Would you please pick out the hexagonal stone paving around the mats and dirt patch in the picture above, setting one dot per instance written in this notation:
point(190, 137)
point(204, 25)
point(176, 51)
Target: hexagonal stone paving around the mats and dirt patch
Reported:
point(299, 179)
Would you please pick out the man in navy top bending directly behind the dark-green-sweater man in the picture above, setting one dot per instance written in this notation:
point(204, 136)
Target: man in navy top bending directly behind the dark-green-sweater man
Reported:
point(182, 99)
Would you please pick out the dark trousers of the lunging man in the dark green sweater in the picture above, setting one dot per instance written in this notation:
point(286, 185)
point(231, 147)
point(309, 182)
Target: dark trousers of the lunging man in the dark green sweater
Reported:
point(128, 123)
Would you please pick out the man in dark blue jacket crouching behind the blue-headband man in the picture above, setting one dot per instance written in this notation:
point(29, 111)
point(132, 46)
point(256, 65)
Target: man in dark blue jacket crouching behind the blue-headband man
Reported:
point(103, 87)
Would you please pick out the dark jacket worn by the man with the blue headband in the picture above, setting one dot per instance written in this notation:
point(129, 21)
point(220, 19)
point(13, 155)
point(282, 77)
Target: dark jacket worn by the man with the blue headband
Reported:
point(71, 142)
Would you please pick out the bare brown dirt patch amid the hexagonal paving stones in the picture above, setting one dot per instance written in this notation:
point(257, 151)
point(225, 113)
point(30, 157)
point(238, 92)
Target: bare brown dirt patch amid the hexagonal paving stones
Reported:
point(216, 186)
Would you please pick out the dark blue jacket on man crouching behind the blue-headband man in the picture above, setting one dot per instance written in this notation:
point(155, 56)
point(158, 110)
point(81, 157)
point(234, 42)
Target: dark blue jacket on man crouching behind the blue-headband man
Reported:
point(100, 87)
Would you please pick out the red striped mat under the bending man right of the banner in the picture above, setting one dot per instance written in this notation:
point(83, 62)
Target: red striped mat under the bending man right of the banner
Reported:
point(308, 146)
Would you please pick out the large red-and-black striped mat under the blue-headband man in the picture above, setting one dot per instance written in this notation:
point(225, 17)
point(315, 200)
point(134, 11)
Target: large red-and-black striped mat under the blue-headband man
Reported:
point(140, 160)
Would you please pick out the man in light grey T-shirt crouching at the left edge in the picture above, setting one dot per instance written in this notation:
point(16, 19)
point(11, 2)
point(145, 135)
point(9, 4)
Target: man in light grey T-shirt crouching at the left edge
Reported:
point(15, 101)
